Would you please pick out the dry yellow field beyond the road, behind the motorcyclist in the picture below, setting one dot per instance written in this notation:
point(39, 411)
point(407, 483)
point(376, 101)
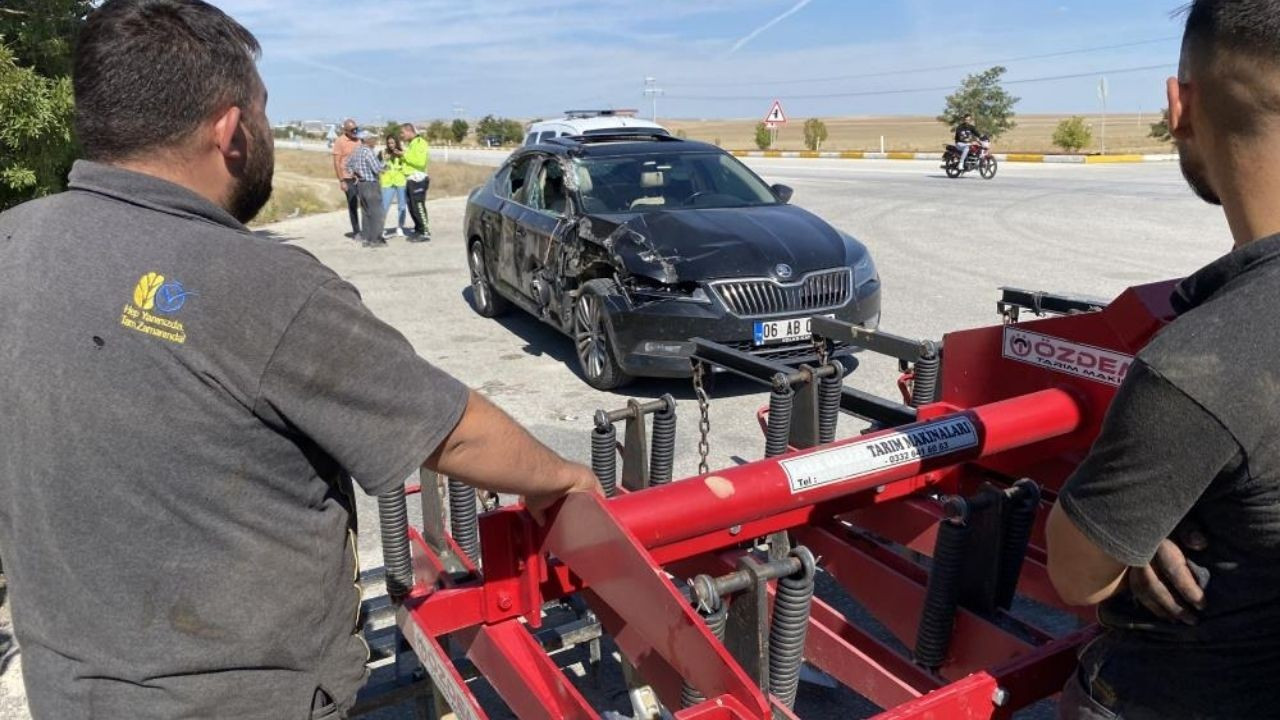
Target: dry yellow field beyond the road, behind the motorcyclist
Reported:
point(1126, 134)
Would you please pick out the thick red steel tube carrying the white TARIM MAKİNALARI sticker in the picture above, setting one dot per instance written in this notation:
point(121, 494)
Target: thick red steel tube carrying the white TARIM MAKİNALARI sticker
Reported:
point(729, 498)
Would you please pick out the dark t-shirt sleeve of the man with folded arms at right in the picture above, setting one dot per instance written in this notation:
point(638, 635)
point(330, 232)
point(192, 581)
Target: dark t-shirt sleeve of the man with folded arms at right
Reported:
point(1156, 455)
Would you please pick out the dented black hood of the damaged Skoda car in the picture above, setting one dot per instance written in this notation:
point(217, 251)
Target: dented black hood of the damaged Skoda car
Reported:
point(696, 245)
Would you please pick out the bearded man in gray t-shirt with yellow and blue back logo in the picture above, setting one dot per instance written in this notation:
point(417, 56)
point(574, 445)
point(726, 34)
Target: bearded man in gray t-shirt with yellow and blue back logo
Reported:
point(186, 405)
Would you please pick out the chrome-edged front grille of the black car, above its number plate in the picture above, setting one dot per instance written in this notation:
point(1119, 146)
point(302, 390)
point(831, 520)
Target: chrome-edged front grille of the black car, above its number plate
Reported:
point(758, 298)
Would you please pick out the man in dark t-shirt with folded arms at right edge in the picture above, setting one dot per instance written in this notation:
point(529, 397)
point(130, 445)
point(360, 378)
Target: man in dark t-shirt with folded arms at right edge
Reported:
point(1173, 521)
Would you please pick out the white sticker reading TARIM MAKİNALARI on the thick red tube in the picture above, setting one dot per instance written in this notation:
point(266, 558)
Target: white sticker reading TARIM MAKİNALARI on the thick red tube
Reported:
point(880, 453)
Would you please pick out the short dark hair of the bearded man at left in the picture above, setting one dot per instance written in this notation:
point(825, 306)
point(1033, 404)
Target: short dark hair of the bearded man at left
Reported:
point(149, 72)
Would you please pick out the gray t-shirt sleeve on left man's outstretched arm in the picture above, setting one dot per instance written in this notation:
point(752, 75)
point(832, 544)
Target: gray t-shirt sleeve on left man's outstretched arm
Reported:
point(355, 386)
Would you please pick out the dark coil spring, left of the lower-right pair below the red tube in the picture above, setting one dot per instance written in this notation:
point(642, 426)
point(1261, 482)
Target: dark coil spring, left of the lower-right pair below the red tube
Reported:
point(939, 614)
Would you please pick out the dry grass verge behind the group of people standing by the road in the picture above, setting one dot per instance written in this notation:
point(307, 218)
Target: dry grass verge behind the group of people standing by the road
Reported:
point(305, 185)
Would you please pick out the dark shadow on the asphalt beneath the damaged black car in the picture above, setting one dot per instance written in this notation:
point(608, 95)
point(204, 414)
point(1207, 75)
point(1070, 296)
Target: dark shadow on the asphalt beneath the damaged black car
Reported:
point(542, 340)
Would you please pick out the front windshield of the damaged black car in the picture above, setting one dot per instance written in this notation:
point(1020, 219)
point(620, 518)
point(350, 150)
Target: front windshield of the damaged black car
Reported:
point(678, 181)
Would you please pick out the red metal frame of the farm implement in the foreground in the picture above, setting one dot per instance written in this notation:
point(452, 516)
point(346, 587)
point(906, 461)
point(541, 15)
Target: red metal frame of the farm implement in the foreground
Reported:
point(1031, 421)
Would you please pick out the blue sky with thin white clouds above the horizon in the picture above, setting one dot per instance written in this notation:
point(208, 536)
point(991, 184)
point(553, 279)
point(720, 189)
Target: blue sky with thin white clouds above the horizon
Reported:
point(418, 60)
